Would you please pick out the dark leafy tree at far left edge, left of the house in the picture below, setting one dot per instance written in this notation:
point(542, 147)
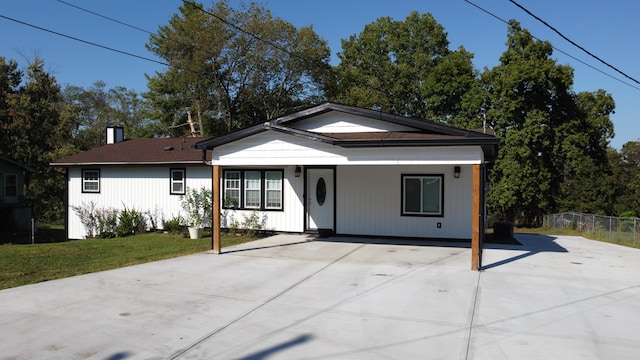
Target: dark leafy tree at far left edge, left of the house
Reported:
point(35, 131)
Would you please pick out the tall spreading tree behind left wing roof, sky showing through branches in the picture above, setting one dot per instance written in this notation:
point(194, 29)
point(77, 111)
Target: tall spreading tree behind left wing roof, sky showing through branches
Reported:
point(226, 70)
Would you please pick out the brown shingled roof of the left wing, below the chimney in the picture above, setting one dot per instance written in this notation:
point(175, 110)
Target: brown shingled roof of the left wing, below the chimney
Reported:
point(150, 151)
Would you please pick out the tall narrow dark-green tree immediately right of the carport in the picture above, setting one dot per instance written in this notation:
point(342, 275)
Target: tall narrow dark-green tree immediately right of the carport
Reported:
point(528, 99)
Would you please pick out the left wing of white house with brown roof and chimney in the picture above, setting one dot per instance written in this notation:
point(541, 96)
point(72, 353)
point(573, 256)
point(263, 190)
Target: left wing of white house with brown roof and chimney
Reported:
point(148, 175)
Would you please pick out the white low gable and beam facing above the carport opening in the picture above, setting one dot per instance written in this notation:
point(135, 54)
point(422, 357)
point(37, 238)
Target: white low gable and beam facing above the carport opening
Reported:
point(273, 148)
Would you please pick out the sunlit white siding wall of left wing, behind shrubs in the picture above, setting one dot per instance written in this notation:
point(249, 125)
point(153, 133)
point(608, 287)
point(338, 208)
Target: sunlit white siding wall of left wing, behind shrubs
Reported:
point(146, 189)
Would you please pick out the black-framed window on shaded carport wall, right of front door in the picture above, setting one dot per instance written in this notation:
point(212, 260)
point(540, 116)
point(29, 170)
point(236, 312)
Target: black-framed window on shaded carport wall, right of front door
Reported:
point(423, 195)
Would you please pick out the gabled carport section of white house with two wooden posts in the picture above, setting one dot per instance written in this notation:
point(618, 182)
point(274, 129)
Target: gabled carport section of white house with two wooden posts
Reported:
point(337, 169)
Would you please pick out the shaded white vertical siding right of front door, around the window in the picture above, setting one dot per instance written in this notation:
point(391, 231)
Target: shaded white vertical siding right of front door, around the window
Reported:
point(369, 202)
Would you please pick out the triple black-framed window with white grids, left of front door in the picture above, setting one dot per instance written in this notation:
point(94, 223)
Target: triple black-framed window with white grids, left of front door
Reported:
point(253, 189)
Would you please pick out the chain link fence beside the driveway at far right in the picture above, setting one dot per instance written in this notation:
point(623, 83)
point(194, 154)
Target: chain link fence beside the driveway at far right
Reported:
point(619, 230)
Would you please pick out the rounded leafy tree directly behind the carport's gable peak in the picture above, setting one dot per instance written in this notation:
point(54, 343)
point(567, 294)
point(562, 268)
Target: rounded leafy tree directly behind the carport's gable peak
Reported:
point(404, 67)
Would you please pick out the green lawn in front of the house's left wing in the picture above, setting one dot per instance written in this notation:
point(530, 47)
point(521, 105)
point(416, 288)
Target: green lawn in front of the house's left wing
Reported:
point(29, 264)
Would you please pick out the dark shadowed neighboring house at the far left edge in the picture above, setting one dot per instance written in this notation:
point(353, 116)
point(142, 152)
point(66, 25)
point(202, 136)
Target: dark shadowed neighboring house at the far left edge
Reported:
point(15, 214)
